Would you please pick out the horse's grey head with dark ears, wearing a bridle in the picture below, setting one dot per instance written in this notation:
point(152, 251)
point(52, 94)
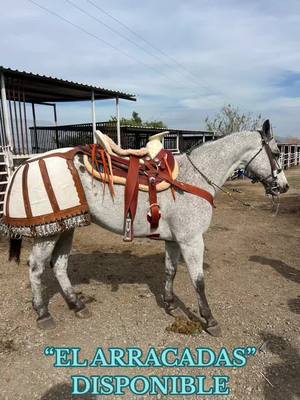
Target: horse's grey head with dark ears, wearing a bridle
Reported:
point(264, 166)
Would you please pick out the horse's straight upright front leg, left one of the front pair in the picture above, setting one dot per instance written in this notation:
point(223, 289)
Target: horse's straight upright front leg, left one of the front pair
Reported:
point(171, 261)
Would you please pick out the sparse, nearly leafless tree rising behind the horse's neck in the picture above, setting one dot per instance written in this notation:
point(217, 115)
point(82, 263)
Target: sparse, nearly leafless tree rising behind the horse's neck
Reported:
point(231, 119)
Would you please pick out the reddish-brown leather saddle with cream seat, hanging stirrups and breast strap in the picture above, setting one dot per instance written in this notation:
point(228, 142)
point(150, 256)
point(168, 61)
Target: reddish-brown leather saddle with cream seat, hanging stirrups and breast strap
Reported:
point(152, 169)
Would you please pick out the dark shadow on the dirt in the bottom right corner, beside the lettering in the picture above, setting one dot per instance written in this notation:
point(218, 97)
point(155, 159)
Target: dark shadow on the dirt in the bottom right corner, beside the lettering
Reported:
point(283, 376)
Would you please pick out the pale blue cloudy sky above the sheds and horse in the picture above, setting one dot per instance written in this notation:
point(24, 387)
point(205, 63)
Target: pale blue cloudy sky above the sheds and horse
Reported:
point(246, 53)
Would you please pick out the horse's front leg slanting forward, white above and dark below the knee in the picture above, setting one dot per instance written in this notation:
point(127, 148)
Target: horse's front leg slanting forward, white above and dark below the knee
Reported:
point(192, 253)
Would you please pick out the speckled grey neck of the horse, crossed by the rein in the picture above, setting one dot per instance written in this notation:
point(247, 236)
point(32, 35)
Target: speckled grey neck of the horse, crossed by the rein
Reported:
point(218, 160)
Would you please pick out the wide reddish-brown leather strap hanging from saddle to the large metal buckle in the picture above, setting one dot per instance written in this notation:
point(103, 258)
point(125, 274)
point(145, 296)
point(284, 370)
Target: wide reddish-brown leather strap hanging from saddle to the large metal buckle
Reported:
point(132, 188)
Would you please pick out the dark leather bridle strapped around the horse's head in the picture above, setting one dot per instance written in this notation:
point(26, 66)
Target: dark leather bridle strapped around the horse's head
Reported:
point(271, 186)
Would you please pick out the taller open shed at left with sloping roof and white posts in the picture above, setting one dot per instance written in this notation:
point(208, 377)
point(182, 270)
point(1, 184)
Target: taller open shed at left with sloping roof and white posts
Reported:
point(20, 93)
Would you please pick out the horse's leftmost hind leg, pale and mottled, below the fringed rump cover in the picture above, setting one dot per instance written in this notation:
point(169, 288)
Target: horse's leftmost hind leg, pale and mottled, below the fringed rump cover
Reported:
point(39, 258)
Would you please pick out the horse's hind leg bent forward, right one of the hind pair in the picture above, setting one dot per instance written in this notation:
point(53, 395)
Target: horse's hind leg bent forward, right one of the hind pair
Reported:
point(59, 261)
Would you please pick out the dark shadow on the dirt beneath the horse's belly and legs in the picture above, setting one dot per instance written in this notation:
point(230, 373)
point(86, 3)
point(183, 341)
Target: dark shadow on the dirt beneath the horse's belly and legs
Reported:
point(116, 269)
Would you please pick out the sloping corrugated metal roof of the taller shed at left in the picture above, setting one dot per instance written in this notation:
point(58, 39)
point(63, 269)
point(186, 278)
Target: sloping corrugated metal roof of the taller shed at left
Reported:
point(42, 88)
